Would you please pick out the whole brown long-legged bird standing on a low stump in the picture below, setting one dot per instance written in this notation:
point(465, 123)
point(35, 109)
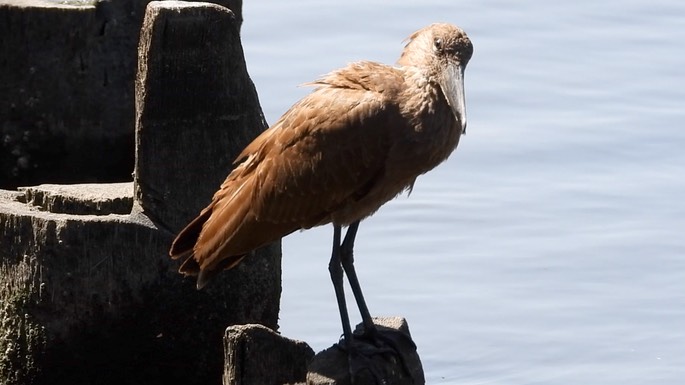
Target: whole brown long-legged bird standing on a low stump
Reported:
point(362, 137)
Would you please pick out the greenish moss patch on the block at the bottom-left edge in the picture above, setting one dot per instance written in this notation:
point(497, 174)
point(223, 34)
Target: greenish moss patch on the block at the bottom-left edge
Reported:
point(22, 338)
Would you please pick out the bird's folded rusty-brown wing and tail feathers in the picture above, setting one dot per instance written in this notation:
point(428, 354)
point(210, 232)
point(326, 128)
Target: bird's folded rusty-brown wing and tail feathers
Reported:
point(323, 154)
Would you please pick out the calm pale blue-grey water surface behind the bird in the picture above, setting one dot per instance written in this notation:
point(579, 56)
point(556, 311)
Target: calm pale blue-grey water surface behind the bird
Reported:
point(549, 249)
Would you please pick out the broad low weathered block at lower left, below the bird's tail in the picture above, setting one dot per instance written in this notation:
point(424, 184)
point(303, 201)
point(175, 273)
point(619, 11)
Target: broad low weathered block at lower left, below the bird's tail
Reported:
point(85, 296)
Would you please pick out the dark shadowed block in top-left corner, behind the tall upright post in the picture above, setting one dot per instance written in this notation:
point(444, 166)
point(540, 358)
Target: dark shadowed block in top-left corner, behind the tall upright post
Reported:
point(67, 89)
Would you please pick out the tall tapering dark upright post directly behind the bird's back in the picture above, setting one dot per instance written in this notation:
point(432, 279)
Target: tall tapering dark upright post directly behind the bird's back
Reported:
point(191, 82)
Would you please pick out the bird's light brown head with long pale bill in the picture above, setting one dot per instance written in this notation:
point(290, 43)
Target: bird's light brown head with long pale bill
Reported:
point(442, 51)
